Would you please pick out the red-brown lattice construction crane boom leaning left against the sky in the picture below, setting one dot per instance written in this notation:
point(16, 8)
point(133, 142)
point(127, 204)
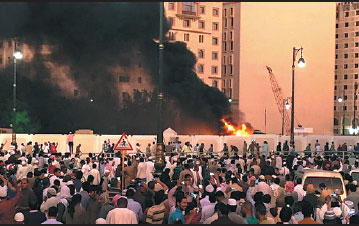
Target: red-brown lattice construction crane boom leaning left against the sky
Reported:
point(278, 95)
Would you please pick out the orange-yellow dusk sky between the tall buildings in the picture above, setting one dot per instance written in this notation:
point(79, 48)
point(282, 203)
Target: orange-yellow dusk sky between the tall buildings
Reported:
point(269, 33)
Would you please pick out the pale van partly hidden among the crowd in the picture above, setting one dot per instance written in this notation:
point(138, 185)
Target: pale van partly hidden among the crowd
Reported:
point(332, 180)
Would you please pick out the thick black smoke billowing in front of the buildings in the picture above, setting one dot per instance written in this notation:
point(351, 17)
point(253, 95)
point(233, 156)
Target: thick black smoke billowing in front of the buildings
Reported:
point(90, 39)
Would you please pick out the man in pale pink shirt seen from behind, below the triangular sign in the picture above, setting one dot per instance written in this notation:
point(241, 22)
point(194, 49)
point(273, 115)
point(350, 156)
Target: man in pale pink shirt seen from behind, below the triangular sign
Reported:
point(121, 215)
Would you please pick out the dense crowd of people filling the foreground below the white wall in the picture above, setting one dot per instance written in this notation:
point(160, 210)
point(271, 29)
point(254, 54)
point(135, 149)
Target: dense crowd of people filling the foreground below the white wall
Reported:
point(196, 186)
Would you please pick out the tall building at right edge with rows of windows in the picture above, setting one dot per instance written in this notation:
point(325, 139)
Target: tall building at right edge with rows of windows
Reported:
point(346, 68)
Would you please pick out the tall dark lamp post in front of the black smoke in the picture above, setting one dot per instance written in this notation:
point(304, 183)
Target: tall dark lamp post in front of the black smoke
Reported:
point(159, 164)
